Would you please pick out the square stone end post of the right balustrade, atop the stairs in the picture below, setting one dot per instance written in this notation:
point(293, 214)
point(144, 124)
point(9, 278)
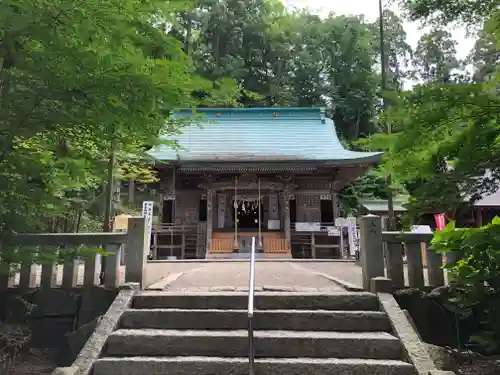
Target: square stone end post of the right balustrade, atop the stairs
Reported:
point(371, 249)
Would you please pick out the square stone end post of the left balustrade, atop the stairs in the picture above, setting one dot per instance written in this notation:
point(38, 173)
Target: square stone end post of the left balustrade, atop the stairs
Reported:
point(137, 251)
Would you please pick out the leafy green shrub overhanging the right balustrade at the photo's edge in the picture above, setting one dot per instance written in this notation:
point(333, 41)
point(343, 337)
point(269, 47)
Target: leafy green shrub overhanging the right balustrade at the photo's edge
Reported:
point(475, 284)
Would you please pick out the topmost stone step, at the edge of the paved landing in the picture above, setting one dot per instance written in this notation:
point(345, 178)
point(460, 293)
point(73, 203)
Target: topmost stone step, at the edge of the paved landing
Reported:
point(263, 301)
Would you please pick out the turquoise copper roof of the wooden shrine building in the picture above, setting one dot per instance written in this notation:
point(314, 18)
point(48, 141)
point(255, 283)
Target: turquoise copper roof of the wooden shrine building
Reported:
point(260, 134)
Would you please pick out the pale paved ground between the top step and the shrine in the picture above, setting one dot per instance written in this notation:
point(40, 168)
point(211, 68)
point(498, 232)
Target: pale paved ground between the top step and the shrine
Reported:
point(234, 276)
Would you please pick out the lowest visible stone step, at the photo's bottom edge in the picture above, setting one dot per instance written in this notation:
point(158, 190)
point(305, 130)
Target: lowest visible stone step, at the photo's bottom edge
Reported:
point(239, 366)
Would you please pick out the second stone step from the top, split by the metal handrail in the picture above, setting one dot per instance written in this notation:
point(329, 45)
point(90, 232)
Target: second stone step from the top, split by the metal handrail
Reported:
point(298, 320)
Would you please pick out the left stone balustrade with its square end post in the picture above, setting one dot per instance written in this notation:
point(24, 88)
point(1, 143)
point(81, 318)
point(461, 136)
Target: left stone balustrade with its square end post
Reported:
point(83, 270)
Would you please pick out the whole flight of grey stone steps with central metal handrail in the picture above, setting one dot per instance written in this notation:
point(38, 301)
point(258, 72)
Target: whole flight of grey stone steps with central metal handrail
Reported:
point(296, 334)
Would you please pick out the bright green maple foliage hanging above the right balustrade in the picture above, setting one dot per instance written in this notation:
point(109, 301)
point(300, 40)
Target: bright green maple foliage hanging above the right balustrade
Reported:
point(446, 145)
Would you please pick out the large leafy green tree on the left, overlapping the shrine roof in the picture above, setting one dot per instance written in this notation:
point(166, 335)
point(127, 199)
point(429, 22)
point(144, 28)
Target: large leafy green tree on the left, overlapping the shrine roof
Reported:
point(79, 81)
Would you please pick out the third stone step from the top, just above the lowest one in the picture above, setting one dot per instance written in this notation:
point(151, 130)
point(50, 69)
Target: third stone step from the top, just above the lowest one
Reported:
point(269, 344)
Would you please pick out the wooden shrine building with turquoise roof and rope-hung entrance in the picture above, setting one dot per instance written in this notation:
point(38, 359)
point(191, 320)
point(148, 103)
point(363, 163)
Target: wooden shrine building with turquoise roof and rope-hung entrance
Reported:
point(272, 173)
